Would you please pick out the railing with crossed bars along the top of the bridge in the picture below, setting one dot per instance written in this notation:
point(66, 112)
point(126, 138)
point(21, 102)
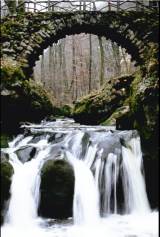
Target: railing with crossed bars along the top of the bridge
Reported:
point(81, 5)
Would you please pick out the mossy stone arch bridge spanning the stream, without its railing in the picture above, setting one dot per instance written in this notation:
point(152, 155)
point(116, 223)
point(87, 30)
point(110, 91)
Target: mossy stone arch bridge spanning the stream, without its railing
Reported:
point(24, 37)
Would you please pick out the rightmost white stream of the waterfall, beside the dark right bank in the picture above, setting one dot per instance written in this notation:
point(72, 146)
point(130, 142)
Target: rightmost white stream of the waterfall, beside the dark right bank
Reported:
point(134, 185)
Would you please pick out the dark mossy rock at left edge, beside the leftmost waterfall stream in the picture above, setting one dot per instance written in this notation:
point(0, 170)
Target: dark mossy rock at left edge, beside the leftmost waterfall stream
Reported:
point(6, 175)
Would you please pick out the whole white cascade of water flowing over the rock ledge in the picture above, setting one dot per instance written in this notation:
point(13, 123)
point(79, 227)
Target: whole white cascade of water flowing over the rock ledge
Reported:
point(100, 158)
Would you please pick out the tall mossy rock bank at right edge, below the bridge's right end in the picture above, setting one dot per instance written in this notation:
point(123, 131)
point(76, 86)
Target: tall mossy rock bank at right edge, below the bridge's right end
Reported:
point(144, 111)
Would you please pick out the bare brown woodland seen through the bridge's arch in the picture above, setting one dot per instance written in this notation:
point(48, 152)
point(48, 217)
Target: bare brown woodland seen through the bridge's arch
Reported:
point(79, 64)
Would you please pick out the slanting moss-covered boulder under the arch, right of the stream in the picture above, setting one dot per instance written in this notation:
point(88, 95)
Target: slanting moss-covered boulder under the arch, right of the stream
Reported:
point(99, 106)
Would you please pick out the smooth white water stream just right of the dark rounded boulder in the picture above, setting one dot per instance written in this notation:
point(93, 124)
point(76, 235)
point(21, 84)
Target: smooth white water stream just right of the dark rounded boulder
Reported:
point(85, 207)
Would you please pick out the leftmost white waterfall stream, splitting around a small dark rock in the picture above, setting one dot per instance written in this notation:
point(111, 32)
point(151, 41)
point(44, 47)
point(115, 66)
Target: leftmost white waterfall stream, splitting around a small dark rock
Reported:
point(25, 185)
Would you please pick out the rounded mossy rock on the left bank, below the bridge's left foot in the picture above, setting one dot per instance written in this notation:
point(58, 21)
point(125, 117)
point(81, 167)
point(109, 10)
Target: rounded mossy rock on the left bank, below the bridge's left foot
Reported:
point(24, 101)
